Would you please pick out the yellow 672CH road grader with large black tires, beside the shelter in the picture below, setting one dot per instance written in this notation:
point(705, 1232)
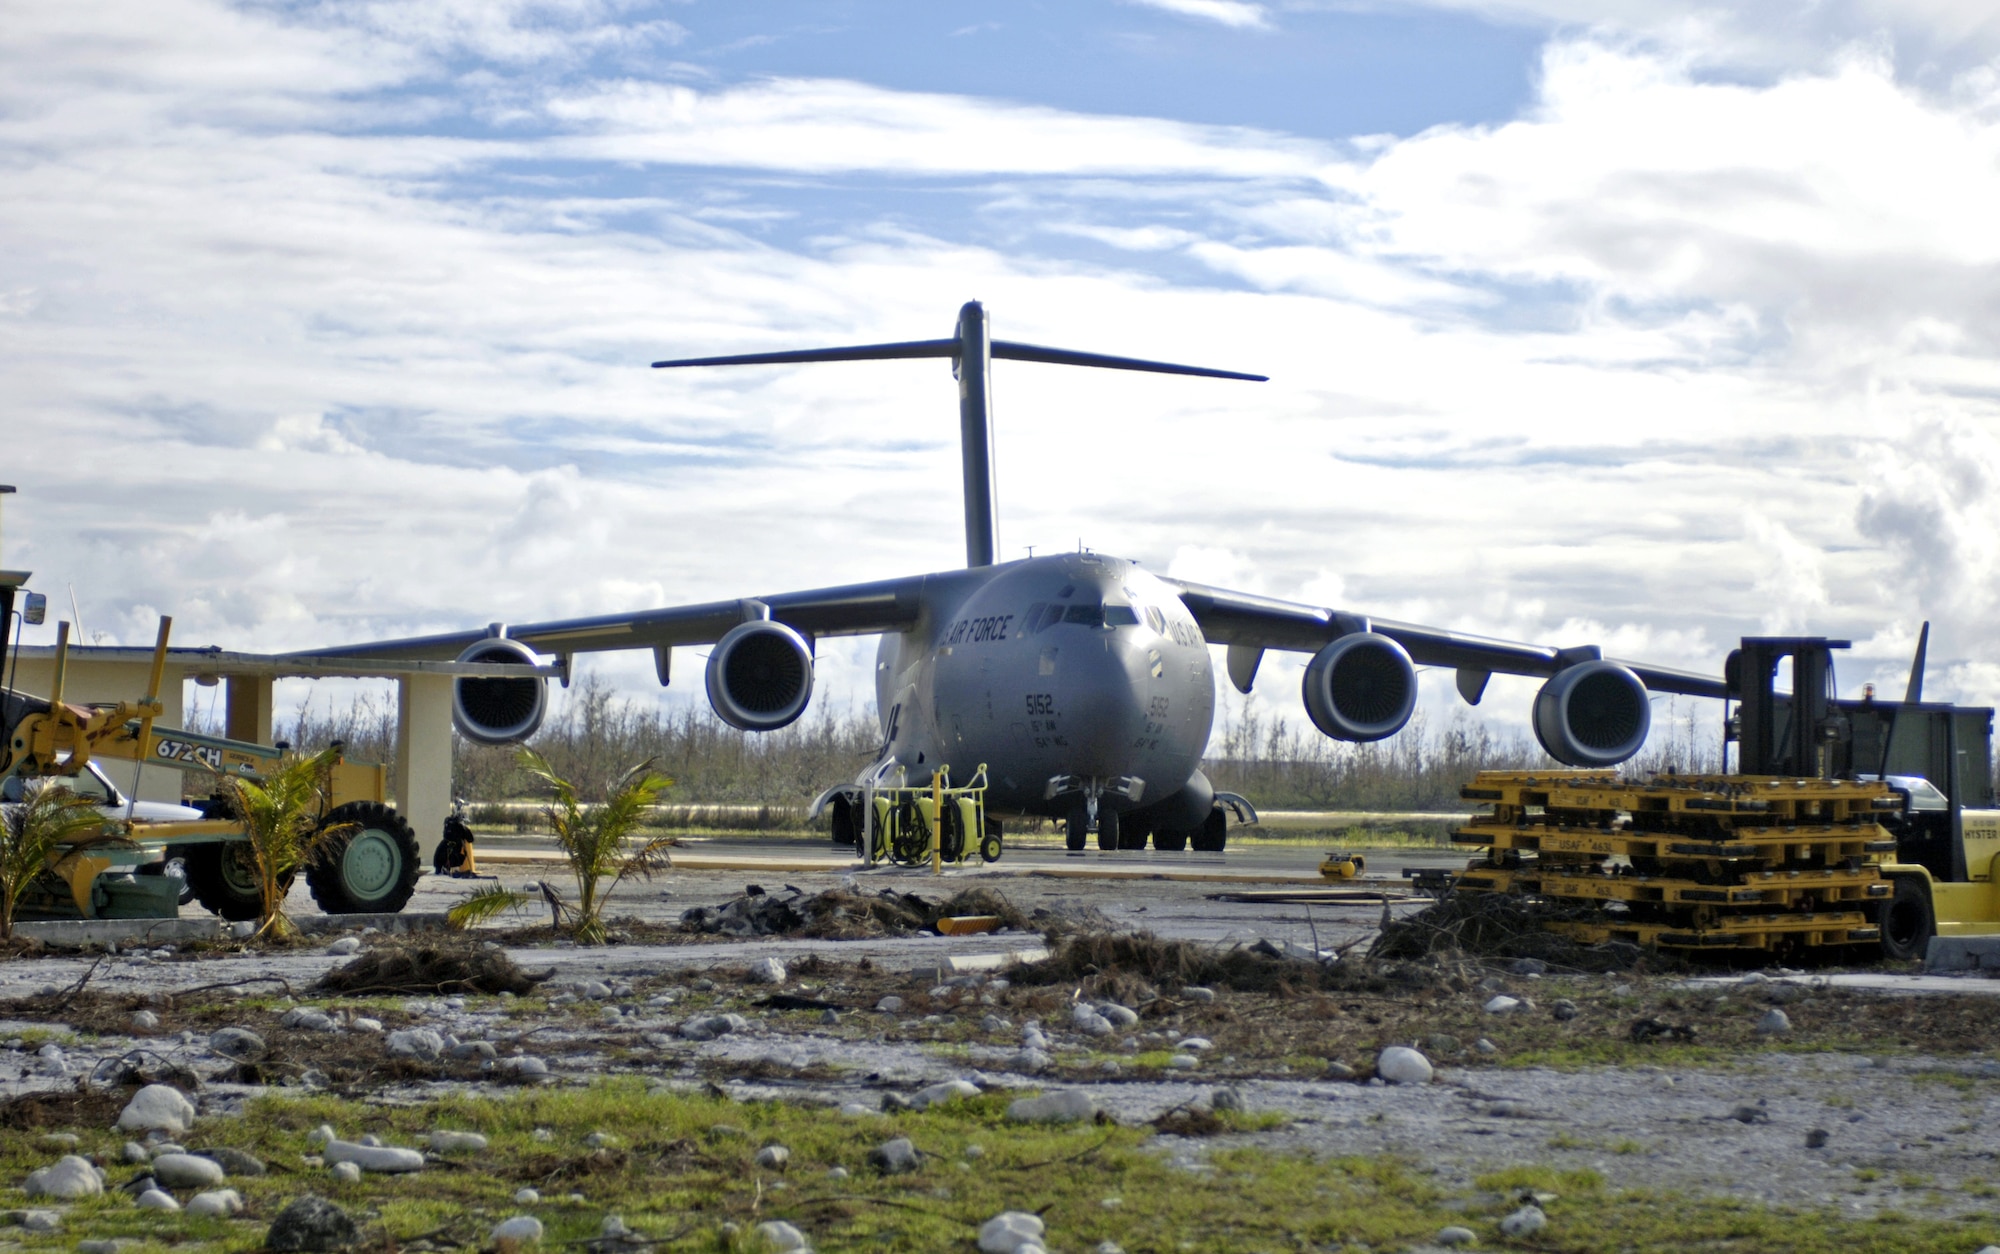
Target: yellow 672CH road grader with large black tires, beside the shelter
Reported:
point(369, 867)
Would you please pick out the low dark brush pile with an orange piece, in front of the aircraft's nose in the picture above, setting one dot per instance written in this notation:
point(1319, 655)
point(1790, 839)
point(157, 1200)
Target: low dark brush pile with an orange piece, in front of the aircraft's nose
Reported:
point(853, 915)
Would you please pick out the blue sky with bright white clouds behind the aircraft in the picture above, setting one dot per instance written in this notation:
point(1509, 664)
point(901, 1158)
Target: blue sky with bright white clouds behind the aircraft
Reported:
point(1647, 325)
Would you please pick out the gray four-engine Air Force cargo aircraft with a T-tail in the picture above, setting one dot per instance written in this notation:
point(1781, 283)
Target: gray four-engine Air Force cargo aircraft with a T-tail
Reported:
point(1081, 681)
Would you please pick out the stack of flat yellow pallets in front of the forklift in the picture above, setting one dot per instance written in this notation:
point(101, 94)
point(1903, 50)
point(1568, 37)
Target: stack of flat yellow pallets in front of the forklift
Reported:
point(1687, 861)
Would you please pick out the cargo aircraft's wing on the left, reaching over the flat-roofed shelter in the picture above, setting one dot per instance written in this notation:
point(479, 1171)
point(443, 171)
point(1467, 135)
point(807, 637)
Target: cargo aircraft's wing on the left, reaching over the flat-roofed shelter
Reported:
point(851, 611)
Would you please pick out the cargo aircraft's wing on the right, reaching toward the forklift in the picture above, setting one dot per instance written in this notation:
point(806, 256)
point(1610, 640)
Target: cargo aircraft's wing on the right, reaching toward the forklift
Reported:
point(1255, 623)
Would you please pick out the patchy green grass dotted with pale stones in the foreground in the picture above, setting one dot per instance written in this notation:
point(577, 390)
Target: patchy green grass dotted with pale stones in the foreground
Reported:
point(683, 1169)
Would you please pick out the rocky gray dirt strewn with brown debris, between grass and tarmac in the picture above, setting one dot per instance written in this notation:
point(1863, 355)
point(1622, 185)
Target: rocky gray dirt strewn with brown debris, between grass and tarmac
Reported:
point(1871, 1103)
